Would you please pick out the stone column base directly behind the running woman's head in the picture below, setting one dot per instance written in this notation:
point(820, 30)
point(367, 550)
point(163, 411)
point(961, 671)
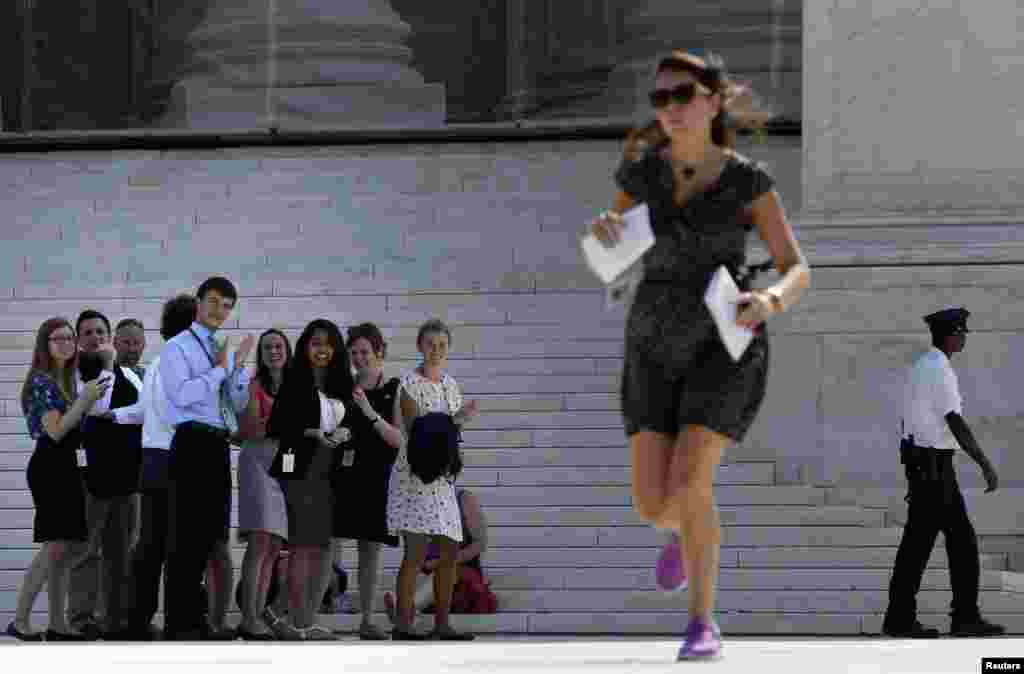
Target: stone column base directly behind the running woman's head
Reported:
point(759, 40)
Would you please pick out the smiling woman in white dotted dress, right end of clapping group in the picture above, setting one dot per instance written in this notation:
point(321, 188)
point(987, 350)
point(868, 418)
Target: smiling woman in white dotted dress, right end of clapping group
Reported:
point(426, 514)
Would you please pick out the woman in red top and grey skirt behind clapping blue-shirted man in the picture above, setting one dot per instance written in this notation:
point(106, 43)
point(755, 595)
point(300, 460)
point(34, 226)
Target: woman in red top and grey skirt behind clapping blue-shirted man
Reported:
point(263, 515)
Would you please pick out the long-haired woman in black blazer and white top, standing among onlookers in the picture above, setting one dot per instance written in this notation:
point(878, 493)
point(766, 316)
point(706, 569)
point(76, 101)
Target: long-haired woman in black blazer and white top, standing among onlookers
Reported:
point(308, 419)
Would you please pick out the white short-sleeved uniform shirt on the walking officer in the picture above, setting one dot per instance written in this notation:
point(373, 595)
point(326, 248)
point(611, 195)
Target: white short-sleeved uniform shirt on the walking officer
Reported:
point(932, 393)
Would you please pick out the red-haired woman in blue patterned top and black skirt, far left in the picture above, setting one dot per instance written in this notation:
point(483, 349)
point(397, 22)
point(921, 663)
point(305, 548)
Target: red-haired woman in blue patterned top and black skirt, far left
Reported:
point(54, 416)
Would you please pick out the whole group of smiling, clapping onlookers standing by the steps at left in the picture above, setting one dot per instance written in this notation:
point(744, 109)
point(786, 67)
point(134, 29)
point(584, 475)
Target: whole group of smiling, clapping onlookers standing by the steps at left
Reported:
point(132, 478)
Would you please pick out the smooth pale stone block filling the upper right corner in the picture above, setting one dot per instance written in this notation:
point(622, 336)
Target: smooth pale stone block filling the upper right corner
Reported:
point(914, 108)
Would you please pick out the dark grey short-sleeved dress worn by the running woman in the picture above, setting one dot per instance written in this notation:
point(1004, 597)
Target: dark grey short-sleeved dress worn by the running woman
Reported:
point(677, 372)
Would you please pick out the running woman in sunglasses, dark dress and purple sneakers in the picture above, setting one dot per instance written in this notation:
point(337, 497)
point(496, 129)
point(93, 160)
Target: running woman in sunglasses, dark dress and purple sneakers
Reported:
point(685, 399)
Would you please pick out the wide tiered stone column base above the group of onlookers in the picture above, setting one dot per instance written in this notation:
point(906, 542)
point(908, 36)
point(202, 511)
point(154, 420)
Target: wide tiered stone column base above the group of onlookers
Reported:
point(302, 65)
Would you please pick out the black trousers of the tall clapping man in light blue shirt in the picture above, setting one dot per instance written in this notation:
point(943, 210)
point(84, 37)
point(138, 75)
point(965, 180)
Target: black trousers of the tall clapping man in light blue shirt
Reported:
point(200, 487)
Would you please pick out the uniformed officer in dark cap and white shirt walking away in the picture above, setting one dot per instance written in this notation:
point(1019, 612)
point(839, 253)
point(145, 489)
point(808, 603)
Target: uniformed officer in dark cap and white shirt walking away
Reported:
point(933, 427)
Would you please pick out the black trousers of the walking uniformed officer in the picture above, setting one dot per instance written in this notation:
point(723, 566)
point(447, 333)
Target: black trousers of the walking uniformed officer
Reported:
point(935, 507)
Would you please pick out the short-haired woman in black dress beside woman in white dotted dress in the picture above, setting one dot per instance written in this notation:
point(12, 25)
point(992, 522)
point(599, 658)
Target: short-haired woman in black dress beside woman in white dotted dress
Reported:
point(362, 479)
